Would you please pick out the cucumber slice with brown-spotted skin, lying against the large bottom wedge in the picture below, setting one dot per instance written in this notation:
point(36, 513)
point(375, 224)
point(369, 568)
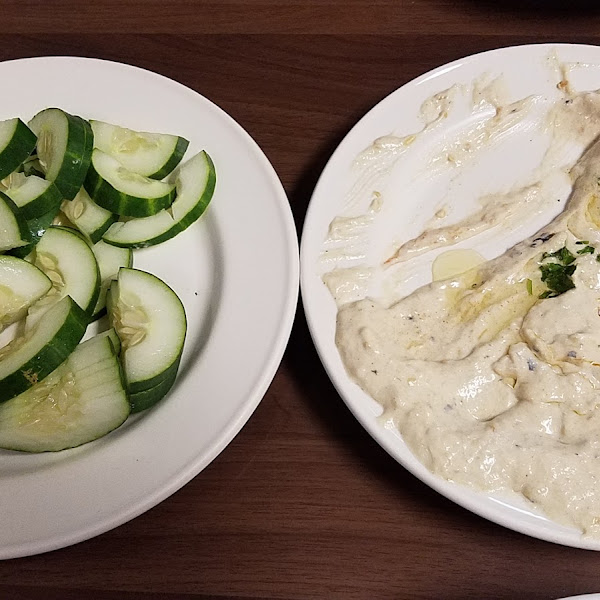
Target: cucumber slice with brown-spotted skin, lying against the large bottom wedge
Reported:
point(28, 359)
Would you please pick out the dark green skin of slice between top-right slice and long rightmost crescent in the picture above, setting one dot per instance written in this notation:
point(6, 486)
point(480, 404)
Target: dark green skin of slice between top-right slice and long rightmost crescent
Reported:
point(106, 196)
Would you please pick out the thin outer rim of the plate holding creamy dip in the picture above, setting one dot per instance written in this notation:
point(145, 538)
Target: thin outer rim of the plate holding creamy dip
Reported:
point(460, 495)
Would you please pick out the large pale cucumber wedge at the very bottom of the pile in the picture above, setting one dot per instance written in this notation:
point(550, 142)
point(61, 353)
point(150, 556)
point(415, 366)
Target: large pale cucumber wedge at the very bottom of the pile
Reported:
point(81, 401)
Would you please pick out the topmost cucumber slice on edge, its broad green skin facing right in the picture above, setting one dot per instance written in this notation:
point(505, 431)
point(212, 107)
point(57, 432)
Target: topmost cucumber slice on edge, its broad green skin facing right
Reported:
point(64, 148)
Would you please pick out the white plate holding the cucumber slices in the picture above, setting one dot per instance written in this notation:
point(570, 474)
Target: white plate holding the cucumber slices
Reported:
point(236, 271)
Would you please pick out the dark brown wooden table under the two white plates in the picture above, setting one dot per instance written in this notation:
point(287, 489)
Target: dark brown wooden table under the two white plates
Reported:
point(303, 504)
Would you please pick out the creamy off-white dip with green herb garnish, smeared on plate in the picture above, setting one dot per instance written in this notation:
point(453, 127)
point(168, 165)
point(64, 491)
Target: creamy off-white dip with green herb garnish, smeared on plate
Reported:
point(493, 376)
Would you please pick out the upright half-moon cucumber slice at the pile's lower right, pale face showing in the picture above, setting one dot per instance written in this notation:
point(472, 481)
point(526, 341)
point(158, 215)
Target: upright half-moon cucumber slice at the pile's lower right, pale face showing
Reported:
point(150, 321)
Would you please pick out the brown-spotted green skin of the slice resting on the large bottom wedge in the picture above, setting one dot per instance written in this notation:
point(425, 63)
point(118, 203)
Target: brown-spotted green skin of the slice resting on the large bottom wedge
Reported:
point(50, 356)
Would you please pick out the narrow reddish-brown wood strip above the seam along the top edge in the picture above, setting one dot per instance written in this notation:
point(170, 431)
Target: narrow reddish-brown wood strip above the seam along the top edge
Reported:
point(442, 17)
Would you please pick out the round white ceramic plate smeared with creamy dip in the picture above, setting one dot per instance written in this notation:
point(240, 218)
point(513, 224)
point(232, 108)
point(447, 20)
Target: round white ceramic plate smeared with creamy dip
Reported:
point(420, 191)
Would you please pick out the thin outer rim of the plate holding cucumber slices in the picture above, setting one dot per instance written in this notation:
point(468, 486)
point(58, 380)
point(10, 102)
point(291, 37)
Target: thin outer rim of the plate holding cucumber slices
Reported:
point(262, 378)
